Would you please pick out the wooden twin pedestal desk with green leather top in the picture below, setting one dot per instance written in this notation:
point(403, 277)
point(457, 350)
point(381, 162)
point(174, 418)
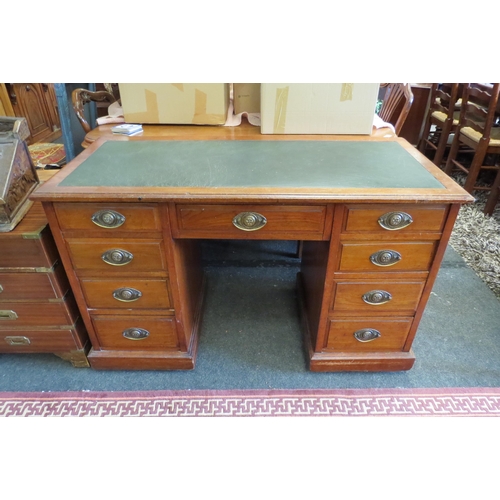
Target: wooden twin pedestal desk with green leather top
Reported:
point(374, 217)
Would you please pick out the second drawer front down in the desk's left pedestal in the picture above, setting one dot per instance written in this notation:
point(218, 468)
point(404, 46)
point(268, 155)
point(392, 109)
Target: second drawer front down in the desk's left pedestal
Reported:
point(87, 254)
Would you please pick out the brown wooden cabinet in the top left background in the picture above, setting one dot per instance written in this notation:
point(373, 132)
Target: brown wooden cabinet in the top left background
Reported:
point(37, 103)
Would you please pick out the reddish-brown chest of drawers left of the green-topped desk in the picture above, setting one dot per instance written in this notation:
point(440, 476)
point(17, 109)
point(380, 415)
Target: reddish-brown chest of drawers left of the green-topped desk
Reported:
point(38, 312)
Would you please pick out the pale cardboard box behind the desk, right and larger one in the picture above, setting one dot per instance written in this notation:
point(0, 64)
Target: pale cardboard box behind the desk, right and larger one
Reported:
point(318, 108)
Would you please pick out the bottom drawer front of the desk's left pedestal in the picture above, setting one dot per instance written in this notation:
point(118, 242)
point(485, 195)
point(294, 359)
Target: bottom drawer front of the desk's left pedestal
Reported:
point(161, 332)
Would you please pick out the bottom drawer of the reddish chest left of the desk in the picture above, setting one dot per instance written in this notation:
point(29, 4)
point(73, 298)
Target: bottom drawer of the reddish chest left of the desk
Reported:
point(31, 340)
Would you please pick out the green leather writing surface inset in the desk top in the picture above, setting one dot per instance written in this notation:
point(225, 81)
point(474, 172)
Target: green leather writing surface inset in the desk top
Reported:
point(242, 164)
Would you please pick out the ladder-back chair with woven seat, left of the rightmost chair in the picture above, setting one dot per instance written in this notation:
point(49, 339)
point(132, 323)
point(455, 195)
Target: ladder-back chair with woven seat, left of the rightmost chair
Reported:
point(443, 115)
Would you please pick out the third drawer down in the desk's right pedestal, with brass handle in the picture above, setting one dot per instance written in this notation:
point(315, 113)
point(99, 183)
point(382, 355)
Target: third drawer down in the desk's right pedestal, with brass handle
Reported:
point(377, 298)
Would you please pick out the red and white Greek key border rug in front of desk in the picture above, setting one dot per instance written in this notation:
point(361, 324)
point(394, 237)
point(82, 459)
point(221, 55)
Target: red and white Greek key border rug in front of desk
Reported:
point(448, 402)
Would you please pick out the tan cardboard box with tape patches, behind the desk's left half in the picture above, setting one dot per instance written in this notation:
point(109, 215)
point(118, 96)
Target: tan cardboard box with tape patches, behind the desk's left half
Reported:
point(179, 103)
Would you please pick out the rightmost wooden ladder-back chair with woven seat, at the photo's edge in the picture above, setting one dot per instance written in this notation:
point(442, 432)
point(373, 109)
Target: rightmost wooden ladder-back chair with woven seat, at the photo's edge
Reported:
point(476, 130)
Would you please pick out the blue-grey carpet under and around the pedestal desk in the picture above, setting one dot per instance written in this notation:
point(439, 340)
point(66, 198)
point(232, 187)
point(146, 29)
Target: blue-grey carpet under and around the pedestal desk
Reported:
point(251, 336)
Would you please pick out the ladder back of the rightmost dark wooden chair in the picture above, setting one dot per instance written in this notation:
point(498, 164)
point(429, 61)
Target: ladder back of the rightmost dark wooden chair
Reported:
point(479, 108)
